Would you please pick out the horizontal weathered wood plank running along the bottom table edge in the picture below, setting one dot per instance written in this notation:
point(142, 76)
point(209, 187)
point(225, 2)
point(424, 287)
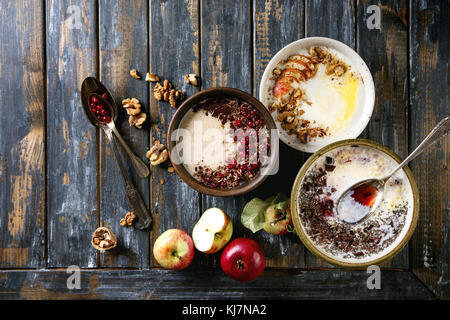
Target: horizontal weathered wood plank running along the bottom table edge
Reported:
point(208, 285)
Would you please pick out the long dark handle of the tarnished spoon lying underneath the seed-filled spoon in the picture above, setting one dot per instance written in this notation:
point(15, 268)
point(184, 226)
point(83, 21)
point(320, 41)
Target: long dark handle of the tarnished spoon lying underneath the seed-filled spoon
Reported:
point(134, 198)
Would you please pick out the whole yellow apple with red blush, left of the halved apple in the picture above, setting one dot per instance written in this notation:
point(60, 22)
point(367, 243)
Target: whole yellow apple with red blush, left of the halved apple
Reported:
point(174, 249)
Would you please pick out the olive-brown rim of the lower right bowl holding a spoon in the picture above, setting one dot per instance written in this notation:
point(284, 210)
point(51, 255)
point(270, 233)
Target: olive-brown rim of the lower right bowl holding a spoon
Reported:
point(296, 218)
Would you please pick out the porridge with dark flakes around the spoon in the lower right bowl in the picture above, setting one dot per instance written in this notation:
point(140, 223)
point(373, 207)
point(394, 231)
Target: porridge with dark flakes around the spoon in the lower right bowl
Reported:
point(327, 178)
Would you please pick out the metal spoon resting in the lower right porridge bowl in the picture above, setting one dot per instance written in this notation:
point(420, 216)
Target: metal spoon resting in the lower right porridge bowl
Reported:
point(359, 202)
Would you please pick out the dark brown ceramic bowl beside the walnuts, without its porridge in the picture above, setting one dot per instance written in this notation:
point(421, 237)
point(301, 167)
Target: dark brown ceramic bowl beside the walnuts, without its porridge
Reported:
point(193, 101)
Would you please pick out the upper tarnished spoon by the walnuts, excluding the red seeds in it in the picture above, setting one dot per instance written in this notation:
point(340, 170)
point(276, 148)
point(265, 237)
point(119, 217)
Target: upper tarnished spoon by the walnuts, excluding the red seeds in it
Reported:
point(92, 87)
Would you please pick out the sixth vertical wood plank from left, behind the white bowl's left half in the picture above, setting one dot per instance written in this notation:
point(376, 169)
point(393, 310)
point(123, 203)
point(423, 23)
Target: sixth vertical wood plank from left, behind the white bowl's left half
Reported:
point(276, 24)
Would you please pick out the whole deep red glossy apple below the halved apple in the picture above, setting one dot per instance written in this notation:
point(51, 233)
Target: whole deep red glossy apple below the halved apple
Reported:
point(243, 260)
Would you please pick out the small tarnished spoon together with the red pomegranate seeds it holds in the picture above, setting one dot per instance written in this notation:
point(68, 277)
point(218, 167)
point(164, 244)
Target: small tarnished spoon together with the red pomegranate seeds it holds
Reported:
point(101, 111)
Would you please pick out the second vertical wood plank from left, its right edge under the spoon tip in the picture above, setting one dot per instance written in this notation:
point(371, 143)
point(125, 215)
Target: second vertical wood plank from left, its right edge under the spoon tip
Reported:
point(71, 173)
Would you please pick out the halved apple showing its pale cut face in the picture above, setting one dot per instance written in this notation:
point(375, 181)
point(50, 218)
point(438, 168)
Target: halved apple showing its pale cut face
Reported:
point(212, 231)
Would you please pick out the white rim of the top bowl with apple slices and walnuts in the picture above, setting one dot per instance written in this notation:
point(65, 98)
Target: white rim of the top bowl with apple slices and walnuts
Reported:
point(362, 67)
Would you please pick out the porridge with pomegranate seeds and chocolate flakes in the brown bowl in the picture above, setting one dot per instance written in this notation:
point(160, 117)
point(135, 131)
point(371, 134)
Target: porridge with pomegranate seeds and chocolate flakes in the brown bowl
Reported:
point(224, 142)
